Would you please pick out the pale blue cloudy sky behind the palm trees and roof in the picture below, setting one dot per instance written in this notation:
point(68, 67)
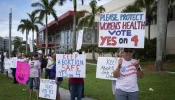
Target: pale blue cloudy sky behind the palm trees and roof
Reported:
point(20, 8)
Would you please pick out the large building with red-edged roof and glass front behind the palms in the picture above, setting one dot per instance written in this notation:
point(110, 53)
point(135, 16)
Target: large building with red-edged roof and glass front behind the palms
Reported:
point(60, 36)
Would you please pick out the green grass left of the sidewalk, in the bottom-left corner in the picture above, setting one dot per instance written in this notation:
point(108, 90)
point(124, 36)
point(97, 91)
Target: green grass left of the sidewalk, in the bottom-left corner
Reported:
point(9, 91)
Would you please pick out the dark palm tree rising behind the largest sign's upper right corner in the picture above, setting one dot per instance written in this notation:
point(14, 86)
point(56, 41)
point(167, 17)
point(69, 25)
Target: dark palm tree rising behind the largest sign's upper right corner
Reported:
point(150, 6)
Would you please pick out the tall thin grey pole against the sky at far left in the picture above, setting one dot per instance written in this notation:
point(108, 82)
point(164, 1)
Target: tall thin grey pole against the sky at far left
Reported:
point(10, 27)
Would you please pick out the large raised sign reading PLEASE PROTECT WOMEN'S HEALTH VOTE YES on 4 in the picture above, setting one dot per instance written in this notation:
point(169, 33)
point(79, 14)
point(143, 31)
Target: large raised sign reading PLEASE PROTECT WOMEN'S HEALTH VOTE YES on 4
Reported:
point(122, 30)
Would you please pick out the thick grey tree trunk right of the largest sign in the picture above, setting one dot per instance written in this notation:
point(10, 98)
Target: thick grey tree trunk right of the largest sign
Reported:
point(161, 29)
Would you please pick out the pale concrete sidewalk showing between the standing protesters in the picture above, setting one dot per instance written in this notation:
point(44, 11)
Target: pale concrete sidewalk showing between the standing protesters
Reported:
point(64, 93)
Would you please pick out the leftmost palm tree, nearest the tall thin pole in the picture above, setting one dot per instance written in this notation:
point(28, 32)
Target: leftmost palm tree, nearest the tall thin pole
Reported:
point(25, 26)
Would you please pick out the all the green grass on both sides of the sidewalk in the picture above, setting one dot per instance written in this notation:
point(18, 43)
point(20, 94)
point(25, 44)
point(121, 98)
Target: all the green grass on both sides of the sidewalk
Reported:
point(100, 89)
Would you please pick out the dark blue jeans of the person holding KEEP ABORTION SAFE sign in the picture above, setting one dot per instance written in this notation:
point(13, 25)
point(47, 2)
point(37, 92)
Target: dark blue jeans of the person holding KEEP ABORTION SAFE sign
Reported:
point(76, 87)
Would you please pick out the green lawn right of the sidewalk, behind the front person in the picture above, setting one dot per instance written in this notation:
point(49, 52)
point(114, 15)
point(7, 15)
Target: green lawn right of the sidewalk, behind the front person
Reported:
point(162, 84)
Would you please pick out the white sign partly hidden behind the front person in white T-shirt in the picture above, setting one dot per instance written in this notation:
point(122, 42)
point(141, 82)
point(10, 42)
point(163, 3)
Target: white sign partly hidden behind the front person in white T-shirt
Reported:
point(105, 67)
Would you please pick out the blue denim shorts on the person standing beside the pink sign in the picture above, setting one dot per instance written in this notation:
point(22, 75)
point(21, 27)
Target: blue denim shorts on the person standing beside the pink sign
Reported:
point(35, 79)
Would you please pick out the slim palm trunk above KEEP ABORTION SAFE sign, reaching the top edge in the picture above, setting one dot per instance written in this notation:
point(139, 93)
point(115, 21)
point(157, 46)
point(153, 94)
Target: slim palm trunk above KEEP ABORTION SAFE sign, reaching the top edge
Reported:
point(74, 27)
